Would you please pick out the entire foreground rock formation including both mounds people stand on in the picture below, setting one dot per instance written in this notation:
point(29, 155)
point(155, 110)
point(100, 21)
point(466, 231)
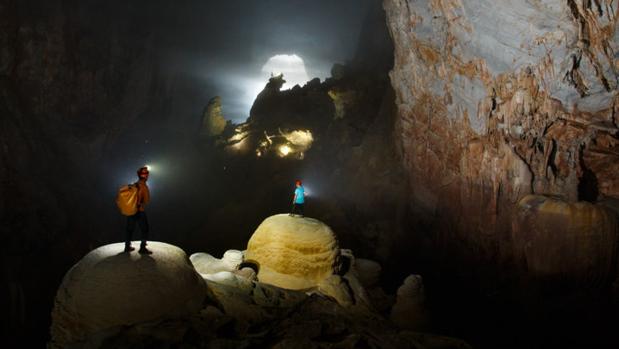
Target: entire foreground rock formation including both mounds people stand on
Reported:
point(112, 299)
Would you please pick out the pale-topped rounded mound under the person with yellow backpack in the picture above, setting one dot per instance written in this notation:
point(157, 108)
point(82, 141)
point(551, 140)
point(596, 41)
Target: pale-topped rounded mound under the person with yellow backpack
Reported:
point(109, 288)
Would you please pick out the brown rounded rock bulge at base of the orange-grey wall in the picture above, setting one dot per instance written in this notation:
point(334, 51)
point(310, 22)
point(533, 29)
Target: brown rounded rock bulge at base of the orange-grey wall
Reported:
point(562, 241)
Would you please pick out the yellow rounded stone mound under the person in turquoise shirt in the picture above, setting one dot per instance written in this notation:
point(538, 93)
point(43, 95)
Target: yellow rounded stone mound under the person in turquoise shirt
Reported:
point(292, 252)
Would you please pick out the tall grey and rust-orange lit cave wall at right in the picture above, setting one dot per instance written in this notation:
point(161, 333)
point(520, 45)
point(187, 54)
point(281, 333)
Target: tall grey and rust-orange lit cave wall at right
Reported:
point(498, 100)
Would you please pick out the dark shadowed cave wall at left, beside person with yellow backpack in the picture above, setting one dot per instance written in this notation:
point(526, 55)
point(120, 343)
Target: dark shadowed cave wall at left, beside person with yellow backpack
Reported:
point(70, 81)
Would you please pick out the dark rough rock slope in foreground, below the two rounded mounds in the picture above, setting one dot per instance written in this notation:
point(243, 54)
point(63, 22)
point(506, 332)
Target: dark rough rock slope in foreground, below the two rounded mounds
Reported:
point(269, 317)
